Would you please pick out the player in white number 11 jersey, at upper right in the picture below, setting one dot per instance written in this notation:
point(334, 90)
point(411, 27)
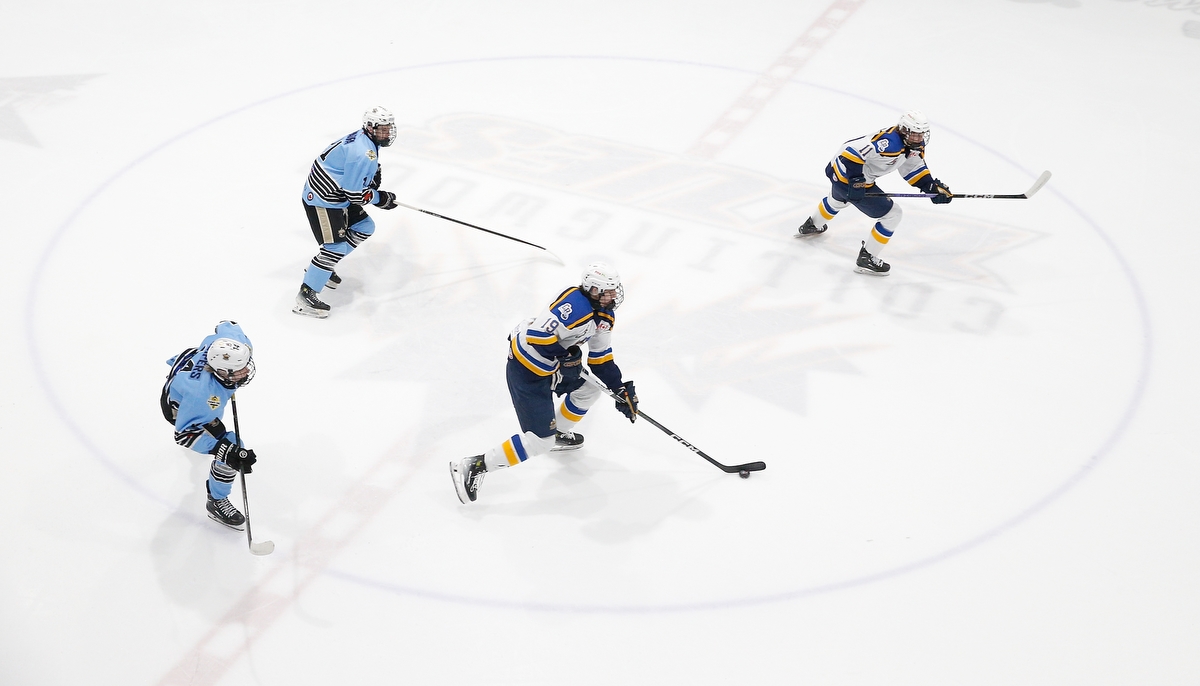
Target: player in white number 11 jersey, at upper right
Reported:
point(854, 172)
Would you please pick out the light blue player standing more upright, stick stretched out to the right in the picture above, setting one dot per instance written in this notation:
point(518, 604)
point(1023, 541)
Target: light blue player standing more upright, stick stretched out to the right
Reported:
point(344, 180)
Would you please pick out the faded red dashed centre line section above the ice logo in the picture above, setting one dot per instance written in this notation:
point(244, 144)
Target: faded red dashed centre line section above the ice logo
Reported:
point(773, 81)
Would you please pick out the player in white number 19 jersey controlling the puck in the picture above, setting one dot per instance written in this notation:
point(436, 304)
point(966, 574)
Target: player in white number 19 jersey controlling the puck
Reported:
point(545, 360)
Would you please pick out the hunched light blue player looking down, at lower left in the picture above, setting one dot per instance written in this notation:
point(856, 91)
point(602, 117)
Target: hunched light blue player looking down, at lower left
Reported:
point(200, 384)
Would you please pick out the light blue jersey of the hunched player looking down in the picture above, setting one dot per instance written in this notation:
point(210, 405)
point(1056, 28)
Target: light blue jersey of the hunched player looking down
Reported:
point(197, 398)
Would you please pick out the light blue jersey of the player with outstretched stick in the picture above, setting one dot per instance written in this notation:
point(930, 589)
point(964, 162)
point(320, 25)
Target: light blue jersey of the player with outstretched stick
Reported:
point(343, 174)
